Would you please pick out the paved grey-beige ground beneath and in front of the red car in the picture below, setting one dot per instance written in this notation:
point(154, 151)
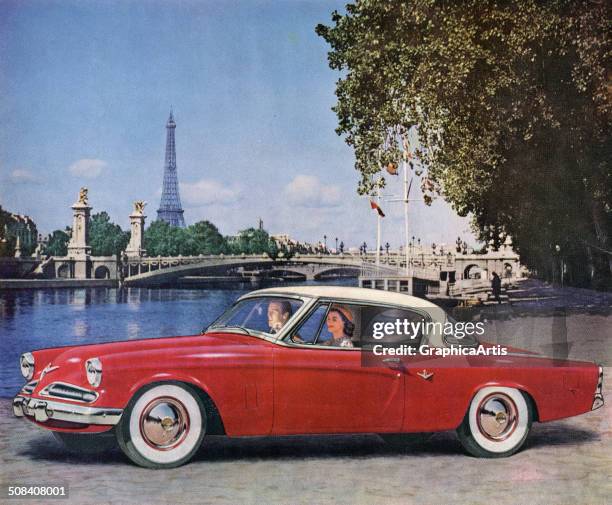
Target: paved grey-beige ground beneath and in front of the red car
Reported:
point(564, 462)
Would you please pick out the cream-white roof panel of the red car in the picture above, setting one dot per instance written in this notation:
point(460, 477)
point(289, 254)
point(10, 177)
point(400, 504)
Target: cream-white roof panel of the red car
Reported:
point(350, 293)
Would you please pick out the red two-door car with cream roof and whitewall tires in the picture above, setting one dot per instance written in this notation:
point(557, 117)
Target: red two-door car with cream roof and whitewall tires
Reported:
point(304, 360)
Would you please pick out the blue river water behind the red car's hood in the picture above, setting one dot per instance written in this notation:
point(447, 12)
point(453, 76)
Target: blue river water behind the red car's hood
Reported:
point(35, 319)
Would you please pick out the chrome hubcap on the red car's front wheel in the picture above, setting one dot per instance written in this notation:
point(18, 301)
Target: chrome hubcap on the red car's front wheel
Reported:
point(164, 423)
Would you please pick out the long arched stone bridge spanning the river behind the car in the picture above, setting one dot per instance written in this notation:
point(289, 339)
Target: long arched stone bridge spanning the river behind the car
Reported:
point(427, 273)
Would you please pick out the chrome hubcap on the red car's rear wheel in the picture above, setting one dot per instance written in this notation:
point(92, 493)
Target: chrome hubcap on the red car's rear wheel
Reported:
point(497, 416)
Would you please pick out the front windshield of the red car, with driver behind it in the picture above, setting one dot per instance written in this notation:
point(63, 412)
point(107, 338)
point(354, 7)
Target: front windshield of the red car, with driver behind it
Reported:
point(267, 315)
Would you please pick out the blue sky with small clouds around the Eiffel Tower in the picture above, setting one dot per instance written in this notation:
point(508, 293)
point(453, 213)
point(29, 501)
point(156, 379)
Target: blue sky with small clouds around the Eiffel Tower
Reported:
point(85, 91)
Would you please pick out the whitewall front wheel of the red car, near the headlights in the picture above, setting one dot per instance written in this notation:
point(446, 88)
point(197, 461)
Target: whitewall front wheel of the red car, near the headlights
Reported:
point(162, 426)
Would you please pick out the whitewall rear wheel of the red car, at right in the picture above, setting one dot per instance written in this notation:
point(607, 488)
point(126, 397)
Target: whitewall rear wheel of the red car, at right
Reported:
point(497, 423)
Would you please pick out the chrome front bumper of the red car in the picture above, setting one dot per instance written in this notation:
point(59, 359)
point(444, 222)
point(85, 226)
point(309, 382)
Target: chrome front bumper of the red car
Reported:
point(45, 410)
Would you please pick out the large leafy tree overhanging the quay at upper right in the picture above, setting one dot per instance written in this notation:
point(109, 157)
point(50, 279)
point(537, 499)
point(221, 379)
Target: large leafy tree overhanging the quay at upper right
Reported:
point(512, 107)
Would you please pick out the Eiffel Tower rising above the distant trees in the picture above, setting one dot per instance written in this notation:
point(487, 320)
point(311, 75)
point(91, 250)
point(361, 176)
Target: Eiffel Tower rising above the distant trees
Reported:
point(170, 209)
